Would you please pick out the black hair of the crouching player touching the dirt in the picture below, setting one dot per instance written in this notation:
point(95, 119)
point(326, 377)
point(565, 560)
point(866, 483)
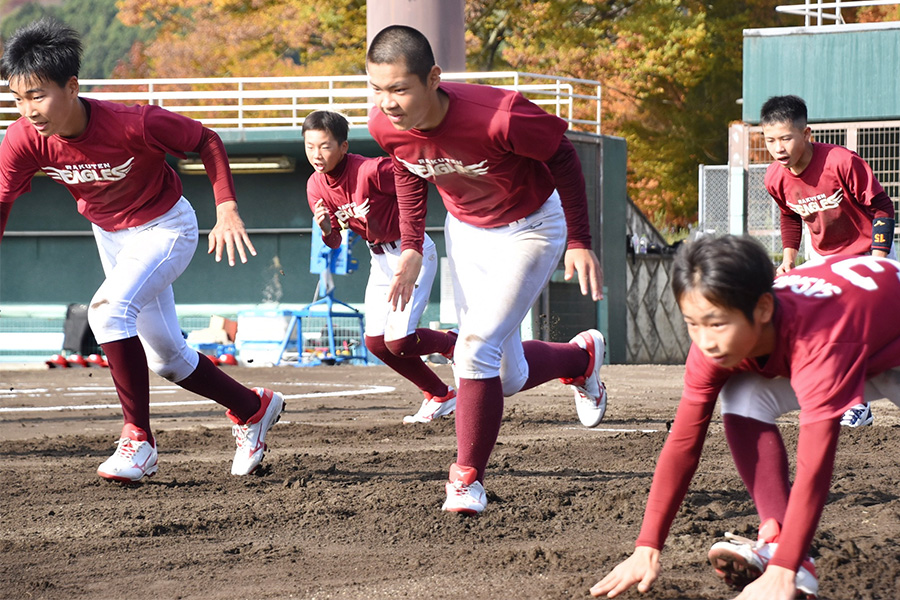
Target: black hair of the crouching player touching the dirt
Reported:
point(731, 272)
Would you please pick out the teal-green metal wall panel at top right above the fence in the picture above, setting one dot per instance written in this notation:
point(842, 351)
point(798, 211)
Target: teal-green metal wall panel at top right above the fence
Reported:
point(845, 73)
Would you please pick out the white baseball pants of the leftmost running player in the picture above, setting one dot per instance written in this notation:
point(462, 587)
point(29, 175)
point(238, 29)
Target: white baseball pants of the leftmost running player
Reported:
point(136, 298)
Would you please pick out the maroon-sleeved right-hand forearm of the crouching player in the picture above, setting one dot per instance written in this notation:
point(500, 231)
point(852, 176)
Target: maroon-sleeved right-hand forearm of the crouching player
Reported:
point(816, 450)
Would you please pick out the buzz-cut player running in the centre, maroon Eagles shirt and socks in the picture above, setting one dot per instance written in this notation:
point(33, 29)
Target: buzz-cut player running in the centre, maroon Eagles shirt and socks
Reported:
point(497, 160)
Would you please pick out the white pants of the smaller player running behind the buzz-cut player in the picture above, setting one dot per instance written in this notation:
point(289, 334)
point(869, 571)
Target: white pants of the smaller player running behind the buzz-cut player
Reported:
point(381, 318)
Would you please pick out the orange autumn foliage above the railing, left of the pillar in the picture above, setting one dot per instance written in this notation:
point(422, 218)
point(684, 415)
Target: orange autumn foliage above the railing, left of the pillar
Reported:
point(246, 38)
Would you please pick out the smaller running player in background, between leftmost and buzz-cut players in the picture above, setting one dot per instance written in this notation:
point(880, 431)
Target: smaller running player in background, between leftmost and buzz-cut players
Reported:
point(349, 191)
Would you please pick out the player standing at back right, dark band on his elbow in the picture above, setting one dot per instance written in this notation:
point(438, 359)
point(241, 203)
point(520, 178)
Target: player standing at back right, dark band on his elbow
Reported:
point(829, 188)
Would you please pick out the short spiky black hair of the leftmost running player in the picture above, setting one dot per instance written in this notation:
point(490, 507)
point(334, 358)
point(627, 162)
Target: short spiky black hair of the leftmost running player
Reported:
point(45, 50)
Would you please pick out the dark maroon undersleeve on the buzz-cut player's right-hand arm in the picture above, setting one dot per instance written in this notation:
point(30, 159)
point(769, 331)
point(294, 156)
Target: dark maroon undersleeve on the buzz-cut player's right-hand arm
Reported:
point(568, 178)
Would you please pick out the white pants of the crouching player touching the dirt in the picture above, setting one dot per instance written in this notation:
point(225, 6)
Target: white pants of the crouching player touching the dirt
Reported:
point(754, 396)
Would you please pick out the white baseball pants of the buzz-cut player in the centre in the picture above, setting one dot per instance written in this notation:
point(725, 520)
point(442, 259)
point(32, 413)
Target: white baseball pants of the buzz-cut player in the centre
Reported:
point(498, 274)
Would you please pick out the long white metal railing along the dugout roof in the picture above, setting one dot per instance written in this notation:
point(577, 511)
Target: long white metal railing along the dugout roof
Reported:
point(244, 102)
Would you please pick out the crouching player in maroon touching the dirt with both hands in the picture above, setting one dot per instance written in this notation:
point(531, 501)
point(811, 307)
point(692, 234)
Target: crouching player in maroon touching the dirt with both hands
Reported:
point(818, 339)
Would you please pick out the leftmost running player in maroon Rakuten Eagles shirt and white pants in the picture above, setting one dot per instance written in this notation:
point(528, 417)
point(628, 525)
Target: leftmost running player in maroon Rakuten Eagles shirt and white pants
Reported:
point(111, 158)
